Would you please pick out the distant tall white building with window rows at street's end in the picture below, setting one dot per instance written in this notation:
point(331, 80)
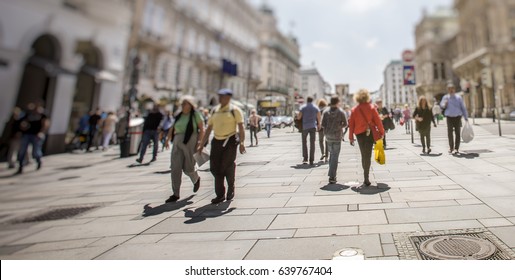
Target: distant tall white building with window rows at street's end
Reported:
point(394, 93)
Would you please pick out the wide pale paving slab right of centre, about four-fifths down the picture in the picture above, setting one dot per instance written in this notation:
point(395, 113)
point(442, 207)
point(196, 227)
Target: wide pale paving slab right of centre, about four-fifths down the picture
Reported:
point(311, 220)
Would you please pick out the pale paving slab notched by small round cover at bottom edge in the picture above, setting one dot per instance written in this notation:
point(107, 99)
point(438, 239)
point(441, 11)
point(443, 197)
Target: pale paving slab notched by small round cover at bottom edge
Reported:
point(315, 248)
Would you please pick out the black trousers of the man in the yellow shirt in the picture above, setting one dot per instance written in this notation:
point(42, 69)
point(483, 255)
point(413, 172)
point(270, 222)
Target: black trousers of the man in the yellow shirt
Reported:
point(222, 164)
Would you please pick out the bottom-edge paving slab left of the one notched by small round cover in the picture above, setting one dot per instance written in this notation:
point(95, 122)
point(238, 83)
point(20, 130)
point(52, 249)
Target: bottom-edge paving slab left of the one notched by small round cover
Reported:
point(198, 250)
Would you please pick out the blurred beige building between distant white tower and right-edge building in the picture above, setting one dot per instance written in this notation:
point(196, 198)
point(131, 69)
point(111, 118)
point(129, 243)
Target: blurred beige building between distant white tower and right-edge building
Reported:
point(433, 60)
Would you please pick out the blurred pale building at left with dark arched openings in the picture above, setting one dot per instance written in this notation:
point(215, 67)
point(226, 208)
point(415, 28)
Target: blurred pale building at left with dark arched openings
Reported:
point(67, 56)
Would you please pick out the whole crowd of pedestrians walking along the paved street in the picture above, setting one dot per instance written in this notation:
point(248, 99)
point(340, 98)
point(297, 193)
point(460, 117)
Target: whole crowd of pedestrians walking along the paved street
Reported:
point(189, 130)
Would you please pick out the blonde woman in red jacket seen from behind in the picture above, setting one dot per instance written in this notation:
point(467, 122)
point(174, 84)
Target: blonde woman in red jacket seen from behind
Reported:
point(363, 118)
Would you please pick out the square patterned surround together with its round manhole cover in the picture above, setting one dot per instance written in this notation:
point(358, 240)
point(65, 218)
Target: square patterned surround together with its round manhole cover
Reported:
point(469, 244)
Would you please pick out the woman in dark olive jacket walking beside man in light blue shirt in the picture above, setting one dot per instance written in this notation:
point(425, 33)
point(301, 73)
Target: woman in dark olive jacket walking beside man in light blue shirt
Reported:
point(423, 116)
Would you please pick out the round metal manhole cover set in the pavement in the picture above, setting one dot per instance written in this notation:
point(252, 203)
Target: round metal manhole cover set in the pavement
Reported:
point(457, 247)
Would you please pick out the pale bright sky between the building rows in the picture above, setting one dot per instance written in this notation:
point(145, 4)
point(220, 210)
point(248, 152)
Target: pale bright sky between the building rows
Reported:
point(352, 41)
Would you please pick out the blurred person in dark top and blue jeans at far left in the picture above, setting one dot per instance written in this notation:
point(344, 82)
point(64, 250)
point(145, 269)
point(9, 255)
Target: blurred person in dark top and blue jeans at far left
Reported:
point(33, 127)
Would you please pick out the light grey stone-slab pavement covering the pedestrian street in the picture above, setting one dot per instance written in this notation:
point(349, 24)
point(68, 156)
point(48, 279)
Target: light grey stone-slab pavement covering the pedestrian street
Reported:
point(282, 209)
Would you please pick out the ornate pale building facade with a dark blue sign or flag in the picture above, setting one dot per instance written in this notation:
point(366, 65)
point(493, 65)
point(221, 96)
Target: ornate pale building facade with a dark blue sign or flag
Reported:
point(196, 48)
